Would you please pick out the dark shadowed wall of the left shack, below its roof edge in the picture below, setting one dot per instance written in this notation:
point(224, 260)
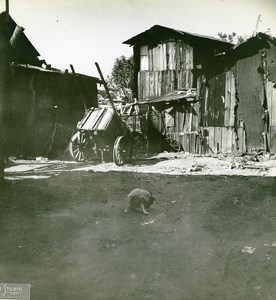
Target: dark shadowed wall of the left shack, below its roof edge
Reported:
point(43, 110)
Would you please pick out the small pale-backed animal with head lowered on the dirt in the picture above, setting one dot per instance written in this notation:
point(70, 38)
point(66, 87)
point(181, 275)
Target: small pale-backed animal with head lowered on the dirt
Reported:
point(140, 200)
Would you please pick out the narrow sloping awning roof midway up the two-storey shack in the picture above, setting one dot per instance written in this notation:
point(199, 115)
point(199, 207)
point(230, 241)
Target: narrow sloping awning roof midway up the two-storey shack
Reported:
point(188, 95)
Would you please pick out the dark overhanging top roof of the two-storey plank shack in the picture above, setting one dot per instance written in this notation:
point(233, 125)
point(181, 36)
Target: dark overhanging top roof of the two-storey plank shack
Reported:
point(156, 32)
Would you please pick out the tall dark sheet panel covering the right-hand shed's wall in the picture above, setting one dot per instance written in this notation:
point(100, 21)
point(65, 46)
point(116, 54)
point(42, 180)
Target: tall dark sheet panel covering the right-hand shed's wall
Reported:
point(250, 111)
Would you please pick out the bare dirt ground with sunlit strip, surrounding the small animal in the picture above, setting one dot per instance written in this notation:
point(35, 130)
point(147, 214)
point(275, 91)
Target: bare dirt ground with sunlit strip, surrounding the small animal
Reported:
point(209, 235)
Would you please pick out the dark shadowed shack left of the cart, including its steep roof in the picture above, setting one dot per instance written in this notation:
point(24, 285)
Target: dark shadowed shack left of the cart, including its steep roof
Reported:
point(42, 104)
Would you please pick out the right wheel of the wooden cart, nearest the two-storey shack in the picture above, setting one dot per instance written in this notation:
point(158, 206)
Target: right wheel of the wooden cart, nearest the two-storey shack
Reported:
point(121, 151)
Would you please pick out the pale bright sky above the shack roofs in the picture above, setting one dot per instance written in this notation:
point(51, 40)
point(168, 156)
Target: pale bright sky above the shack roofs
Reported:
point(82, 32)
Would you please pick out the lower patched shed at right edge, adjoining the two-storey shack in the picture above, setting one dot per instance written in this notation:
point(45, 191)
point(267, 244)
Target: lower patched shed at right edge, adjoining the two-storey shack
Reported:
point(238, 98)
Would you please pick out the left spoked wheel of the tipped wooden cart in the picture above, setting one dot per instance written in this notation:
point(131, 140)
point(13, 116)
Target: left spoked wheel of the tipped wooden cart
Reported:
point(78, 147)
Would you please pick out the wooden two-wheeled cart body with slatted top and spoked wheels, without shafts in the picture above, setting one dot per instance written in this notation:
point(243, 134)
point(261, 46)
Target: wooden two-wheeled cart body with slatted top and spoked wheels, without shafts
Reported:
point(103, 134)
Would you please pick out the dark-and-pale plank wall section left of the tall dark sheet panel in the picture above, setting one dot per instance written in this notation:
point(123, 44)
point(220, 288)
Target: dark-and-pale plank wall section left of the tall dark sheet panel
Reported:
point(217, 113)
